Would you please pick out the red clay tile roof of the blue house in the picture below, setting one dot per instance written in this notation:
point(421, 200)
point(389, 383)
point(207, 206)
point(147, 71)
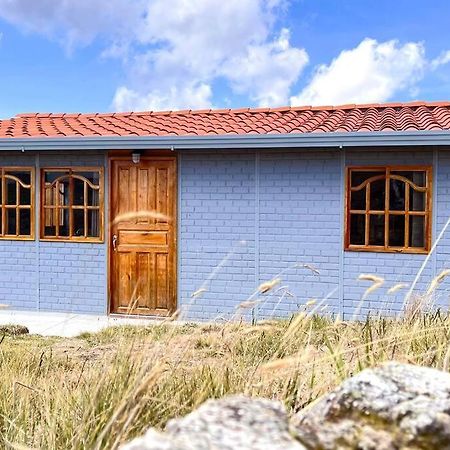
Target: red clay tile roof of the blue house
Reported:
point(346, 118)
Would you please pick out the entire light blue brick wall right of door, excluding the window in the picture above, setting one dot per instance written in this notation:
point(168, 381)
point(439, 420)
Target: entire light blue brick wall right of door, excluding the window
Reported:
point(288, 207)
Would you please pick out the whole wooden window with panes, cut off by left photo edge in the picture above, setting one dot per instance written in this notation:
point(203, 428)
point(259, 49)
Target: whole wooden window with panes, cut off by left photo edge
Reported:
point(17, 203)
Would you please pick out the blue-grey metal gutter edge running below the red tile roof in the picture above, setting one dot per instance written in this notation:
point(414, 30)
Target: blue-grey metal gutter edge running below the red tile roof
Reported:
point(251, 141)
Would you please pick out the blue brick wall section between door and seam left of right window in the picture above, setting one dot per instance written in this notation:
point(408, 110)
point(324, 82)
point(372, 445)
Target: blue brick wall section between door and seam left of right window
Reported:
point(244, 219)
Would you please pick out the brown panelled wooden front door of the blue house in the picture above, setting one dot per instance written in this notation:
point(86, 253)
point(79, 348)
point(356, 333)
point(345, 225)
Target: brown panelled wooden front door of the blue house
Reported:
point(143, 236)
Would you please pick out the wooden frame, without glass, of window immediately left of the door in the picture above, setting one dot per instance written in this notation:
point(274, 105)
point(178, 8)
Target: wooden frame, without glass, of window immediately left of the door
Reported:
point(76, 239)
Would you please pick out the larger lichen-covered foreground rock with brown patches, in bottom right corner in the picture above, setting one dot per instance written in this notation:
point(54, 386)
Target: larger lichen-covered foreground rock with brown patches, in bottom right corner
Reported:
point(396, 406)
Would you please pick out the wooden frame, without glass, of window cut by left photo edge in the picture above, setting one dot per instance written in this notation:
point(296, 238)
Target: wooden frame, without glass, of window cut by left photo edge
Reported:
point(4, 207)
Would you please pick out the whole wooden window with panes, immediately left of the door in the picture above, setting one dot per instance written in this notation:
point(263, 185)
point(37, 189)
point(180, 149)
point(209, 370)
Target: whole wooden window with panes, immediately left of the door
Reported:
point(72, 204)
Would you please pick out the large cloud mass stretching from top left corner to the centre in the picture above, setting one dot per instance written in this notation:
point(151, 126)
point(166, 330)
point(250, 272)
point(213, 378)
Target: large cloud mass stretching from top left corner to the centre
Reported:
point(175, 52)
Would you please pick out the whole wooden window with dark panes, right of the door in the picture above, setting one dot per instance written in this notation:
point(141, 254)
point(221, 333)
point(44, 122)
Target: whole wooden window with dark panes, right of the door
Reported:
point(388, 209)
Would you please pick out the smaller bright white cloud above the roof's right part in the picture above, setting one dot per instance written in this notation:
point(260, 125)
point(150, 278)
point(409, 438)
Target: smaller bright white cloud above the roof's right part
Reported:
point(371, 72)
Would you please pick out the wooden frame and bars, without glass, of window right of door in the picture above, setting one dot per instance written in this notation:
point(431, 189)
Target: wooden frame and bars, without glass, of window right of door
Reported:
point(427, 214)
